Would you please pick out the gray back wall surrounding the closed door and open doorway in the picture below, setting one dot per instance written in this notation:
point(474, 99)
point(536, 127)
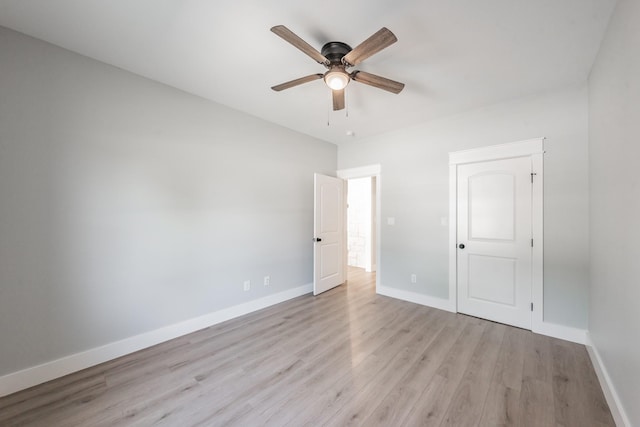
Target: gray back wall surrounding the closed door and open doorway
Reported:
point(415, 191)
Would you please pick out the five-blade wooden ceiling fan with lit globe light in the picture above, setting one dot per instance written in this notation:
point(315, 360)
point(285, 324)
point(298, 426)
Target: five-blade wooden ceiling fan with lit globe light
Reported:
point(338, 57)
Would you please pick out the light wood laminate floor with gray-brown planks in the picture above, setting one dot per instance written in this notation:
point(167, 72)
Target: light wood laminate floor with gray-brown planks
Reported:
point(346, 357)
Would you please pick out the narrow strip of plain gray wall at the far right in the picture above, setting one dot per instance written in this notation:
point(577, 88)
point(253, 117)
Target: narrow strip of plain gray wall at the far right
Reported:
point(614, 152)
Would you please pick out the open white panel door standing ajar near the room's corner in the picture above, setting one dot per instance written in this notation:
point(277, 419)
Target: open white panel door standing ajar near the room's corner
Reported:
point(328, 249)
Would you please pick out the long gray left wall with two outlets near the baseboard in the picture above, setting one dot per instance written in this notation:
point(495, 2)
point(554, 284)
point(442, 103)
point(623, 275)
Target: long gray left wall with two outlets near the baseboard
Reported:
point(126, 205)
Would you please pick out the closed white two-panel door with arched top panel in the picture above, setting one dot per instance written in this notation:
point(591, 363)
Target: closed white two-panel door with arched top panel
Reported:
point(494, 240)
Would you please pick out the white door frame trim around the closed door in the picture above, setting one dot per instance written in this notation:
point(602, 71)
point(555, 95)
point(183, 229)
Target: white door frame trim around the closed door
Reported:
point(533, 148)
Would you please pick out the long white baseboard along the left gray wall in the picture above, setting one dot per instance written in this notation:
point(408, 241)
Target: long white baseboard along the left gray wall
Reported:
point(35, 375)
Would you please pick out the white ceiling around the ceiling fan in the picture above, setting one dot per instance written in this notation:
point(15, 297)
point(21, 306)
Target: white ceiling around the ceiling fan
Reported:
point(453, 55)
